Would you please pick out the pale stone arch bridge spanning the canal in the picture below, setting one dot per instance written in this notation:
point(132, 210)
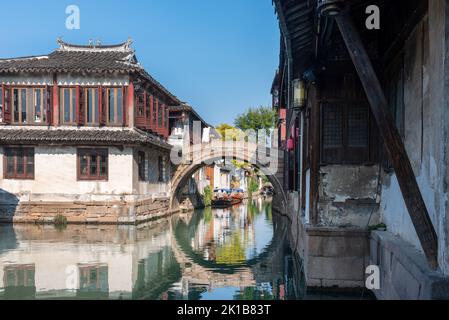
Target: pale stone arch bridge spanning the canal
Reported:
point(240, 151)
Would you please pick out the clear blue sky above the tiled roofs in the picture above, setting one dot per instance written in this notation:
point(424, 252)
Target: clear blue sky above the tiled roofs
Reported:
point(220, 56)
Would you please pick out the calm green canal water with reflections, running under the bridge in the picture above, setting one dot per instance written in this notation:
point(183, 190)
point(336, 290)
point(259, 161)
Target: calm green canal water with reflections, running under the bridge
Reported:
point(237, 253)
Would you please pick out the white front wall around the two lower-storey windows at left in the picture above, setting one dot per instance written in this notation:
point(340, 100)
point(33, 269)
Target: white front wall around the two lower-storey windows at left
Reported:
point(56, 177)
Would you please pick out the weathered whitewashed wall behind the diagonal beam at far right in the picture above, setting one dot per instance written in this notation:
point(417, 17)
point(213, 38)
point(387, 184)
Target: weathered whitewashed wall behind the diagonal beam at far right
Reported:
point(426, 125)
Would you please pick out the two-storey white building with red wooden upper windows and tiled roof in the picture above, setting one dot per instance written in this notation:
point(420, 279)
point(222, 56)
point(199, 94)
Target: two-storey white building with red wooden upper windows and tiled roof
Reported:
point(83, 133)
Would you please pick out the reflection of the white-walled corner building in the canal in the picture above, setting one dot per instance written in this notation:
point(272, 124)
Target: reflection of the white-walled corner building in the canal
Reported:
point(87, 264)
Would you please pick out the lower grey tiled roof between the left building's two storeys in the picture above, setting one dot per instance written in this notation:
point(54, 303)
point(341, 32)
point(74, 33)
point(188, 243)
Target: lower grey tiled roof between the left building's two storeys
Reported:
point(80, 137)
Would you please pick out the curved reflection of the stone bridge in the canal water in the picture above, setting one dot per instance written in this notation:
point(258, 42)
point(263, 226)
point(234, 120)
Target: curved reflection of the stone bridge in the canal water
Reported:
point(201, 272)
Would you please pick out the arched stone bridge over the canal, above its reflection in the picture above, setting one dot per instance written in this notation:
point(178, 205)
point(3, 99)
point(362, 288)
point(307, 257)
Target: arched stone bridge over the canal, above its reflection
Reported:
point(266, 160)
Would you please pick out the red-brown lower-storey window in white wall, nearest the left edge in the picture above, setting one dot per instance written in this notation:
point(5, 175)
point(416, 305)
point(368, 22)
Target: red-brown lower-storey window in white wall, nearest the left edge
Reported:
point(19, 163)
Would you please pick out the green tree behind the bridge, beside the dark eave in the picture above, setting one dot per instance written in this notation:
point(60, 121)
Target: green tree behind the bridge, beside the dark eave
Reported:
point(256, 119)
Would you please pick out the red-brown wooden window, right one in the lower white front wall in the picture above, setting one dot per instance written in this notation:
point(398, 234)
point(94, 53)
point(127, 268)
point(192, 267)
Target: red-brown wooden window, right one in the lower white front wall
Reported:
point(92, 164)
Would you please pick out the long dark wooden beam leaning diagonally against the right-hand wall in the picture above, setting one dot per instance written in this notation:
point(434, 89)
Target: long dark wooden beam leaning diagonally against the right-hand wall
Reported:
point(393, 142)
